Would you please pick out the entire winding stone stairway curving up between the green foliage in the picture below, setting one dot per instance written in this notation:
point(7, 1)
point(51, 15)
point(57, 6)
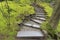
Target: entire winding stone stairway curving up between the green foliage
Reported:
point(30, 29)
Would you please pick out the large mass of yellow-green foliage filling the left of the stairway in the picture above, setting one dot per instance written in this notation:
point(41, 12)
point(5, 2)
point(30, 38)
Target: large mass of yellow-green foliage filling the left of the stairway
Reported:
point(15, 16)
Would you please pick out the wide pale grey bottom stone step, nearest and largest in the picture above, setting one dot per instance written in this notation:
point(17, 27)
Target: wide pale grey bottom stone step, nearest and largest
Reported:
point(25, 34)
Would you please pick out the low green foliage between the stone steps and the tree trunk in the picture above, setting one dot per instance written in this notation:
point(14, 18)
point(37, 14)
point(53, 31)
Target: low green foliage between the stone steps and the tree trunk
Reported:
point(46, 26)
